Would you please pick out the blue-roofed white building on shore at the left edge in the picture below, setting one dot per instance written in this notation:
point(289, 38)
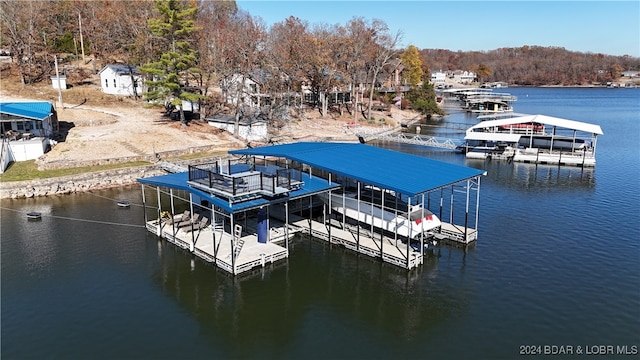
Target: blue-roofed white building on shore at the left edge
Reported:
point(27, 129)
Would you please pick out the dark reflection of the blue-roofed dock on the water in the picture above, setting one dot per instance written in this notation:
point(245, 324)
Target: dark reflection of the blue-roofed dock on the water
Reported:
point(273, 303)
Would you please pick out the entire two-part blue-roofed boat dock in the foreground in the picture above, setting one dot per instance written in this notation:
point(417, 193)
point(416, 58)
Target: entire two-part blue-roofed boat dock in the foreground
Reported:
point(241, 214)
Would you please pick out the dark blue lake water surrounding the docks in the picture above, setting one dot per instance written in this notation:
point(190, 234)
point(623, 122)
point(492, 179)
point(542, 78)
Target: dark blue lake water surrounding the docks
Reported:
point(557, 264)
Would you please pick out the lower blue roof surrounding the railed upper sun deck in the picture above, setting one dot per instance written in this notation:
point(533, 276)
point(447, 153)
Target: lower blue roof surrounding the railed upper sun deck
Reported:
point(179, 181)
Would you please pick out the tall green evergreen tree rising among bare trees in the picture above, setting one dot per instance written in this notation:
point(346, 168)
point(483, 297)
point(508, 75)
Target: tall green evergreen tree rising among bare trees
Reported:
point(169, 76)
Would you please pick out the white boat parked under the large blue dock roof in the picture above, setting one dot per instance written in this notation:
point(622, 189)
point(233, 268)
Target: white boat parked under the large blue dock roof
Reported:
point(396, 216)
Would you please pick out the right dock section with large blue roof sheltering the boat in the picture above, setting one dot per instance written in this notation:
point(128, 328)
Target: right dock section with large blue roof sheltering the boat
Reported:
point(414, 179)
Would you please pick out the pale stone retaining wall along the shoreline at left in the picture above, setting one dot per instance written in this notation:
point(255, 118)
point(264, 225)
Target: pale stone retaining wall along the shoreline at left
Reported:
point(76, 183)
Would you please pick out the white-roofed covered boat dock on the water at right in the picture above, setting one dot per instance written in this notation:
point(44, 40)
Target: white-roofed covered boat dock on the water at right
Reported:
point(534, 139)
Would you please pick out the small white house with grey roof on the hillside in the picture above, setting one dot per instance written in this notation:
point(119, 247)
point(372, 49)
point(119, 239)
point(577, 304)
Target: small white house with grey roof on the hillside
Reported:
point(122, 80)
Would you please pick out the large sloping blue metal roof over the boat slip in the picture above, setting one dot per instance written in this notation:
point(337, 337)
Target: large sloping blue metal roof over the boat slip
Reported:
point(404, 173)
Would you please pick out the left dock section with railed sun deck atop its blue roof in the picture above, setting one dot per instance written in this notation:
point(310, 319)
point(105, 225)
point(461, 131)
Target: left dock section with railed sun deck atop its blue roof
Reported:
point(220, 212)
